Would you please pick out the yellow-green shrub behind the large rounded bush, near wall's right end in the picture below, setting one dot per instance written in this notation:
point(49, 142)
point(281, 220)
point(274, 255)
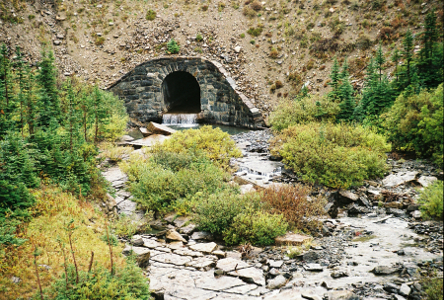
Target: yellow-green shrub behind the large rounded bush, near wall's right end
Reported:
point(308, 109)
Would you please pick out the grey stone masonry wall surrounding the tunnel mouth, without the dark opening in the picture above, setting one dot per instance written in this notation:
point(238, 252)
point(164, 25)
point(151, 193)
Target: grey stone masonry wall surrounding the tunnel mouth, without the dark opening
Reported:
point(141, 90)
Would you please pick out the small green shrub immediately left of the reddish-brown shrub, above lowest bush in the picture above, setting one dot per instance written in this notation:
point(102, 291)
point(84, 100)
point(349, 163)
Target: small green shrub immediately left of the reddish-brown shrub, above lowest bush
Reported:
point(216, 214)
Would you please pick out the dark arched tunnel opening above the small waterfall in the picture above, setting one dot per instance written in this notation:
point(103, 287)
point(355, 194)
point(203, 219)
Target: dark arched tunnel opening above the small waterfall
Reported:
point(181, 93)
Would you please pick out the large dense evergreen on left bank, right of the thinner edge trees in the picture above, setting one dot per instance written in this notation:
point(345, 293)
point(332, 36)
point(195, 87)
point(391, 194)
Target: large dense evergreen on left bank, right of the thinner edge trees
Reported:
point(49, 97)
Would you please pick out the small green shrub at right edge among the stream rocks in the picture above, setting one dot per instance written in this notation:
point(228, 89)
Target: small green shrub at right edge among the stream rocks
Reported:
point(431, 200)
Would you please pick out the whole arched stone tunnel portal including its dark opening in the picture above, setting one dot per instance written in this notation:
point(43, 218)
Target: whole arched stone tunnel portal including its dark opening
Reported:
point(185, 85)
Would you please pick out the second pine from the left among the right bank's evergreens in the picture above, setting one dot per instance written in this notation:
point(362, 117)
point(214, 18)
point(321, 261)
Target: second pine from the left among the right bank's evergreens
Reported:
point(345, 91)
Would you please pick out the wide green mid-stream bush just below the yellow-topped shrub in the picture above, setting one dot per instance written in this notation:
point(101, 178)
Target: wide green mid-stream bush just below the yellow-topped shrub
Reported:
point(160, 182)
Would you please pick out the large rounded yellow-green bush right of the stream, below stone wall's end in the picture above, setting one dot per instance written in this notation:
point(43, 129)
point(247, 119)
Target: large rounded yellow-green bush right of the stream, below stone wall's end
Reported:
point(337, 156)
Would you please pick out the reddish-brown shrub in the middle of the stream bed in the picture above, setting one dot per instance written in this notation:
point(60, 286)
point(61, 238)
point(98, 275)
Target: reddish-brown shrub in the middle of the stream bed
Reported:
point(295, 204)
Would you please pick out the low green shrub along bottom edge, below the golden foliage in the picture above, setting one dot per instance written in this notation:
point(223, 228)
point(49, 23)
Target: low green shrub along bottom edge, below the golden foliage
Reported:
point(127, 283)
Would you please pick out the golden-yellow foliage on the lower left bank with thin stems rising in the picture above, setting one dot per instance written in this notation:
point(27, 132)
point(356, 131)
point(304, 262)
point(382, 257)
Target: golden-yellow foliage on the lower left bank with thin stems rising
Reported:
point(52, 211)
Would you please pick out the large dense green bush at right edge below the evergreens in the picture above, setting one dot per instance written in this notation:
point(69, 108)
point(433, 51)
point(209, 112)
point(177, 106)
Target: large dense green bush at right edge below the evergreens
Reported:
point(415, 123)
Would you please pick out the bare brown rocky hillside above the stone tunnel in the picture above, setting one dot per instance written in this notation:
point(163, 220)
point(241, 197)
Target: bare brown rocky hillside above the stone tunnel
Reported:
point(271, 48)
